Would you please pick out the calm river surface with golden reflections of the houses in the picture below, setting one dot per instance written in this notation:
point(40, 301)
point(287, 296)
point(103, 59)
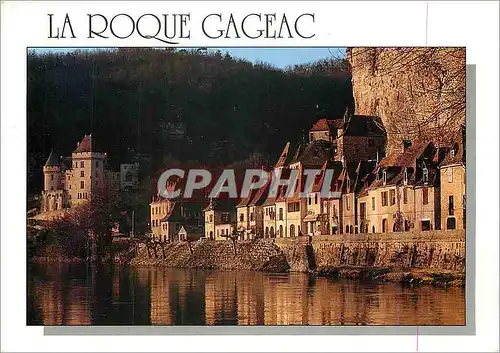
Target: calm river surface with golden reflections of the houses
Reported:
point(63, 294)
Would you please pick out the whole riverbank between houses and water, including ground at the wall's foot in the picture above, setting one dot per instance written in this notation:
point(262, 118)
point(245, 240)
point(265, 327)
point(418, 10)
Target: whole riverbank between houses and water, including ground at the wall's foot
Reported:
point(435, 258)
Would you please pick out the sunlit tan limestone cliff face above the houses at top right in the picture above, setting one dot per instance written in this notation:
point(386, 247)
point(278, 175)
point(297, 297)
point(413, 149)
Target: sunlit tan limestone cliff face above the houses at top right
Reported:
point(417, 92)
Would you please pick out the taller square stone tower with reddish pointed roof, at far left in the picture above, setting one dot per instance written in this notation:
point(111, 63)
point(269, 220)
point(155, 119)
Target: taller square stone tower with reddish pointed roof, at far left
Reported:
point(87, 172)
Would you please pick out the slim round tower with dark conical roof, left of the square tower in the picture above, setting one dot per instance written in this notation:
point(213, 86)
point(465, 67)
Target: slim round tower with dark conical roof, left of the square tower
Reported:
point(53, 193)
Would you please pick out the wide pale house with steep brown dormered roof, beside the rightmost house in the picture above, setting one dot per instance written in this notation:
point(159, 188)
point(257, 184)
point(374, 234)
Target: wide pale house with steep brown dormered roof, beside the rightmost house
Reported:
point(400, 194)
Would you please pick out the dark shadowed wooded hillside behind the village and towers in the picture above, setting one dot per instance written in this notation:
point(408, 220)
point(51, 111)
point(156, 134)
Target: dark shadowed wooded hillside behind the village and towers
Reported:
point(174, 105)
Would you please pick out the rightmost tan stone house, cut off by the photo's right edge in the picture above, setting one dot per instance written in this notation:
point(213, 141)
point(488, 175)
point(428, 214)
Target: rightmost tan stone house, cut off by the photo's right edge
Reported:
point(453, 185)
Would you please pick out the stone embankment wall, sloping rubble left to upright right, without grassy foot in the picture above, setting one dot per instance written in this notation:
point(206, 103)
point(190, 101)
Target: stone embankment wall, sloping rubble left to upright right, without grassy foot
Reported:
point(439, 250)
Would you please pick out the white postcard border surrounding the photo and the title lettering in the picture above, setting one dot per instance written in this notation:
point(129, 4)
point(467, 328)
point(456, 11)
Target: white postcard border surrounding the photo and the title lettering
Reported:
point(473, 24)
